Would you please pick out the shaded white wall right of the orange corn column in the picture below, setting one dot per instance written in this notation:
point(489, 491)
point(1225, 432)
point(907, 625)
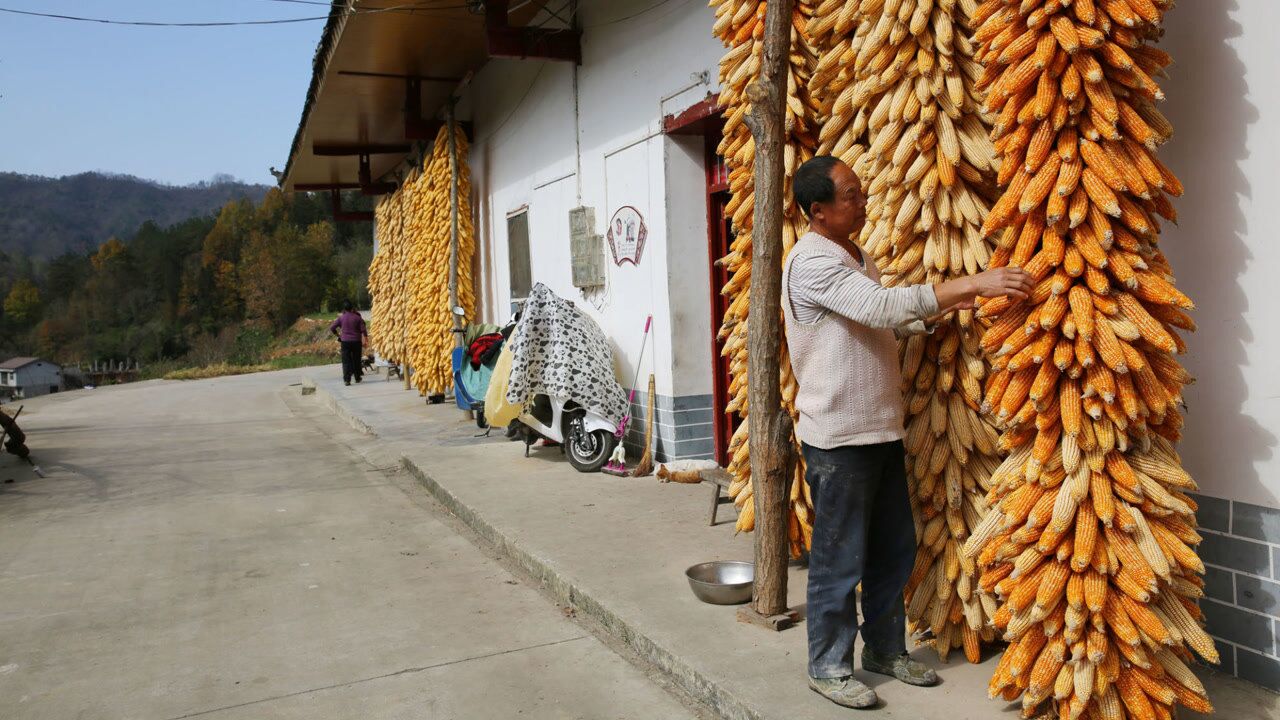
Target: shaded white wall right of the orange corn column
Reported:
point(1224, 102)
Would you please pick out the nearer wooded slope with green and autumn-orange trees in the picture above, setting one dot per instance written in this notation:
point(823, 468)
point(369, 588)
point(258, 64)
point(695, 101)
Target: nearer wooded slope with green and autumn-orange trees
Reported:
point(202, 290)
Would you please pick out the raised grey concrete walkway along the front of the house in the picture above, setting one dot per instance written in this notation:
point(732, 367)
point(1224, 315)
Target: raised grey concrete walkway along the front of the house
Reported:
point(618, 548)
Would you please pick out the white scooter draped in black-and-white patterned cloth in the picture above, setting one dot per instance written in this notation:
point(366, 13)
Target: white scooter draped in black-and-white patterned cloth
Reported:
point(563, 381)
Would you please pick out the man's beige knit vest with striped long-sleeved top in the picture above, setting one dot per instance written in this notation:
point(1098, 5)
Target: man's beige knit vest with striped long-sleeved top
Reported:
point(847, 361)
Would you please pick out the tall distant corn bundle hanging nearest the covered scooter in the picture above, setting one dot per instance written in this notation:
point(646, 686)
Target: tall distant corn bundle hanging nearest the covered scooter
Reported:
point(428, 230)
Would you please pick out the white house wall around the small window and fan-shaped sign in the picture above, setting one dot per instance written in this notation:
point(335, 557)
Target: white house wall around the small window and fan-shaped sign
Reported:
point(525, 154)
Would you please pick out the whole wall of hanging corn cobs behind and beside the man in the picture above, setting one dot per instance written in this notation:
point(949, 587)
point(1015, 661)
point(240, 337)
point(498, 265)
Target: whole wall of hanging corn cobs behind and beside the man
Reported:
point(1087, 563)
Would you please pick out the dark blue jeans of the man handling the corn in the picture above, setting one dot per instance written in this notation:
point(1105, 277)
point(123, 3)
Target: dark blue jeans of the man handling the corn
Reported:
point(862, 534)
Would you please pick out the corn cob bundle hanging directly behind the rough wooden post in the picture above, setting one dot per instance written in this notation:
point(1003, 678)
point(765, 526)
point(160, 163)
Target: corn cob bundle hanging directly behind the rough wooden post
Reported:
point(740, 25)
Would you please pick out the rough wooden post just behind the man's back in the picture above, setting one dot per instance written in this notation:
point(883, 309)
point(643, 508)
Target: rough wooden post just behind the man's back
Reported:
point(770, 426)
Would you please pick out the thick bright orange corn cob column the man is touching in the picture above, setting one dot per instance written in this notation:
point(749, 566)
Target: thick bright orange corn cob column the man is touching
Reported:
point(1090, 540)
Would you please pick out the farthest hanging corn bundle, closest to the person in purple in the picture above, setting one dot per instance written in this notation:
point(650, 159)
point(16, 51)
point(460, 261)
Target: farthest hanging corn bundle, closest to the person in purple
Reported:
point(387, 280)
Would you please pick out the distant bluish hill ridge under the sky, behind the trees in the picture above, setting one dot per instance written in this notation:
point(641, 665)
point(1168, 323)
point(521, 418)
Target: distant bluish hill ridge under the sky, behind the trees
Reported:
point(45, 217)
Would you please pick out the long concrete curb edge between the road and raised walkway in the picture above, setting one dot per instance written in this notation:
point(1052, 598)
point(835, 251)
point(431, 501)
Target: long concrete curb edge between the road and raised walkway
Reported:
point(694, 682)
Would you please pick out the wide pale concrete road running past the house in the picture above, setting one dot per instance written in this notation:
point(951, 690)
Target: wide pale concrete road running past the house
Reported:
point(220, 550)
